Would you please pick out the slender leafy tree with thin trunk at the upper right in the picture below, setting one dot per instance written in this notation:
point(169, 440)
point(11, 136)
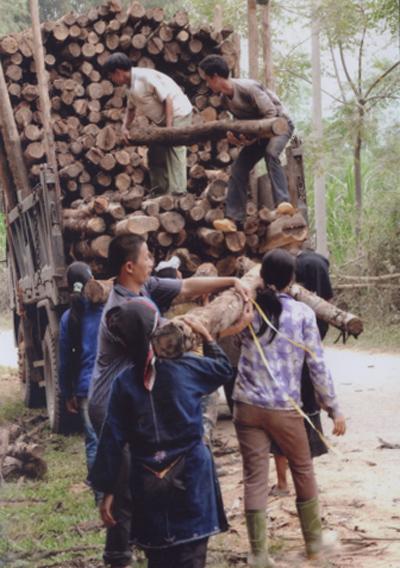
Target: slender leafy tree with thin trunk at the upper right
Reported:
point(350, 30)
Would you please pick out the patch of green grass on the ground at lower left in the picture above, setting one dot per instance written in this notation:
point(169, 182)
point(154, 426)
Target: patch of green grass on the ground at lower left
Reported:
point(46, 514)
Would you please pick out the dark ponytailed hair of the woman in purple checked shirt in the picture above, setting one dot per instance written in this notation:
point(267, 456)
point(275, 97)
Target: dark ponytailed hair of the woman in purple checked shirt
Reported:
point(277, 271)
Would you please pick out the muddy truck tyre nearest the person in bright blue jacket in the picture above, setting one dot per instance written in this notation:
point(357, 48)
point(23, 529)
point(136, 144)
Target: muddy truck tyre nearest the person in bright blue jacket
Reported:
point(54, 401)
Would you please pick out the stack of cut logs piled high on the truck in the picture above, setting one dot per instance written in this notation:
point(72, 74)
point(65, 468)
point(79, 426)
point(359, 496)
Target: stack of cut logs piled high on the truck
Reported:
point(105, 184)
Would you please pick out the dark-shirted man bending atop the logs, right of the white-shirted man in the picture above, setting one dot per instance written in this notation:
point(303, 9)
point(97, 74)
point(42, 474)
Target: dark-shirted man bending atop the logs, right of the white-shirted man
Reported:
point(248, 100)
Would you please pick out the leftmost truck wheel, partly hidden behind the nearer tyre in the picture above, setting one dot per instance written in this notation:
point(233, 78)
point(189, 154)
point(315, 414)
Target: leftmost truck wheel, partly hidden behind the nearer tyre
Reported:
point(32, 395)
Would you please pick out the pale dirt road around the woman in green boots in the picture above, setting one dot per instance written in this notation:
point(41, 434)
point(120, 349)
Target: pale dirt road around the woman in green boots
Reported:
point(359, 490)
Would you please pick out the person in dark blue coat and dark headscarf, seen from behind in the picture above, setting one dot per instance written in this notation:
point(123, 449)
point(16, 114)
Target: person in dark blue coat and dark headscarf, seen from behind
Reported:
point(155, 407)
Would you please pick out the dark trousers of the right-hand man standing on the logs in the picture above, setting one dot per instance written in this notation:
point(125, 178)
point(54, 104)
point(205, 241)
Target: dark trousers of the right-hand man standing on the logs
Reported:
point(248, 157)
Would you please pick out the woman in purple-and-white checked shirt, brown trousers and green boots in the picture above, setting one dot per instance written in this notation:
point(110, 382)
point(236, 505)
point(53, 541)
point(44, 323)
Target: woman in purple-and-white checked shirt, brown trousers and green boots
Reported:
point(262, 409)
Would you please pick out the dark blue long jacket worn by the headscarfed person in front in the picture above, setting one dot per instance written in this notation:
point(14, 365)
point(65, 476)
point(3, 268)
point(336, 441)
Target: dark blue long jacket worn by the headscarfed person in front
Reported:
point(175, 490)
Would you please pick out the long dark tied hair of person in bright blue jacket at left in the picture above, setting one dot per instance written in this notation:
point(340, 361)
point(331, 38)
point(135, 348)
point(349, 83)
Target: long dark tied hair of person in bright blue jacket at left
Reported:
point(78, 273)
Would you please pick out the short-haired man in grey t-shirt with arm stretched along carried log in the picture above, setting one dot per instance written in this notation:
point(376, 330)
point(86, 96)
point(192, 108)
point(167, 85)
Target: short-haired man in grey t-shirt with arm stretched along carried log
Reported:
point(130, 261)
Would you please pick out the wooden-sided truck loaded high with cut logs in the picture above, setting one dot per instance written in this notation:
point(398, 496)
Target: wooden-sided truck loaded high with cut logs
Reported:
point(69, 184)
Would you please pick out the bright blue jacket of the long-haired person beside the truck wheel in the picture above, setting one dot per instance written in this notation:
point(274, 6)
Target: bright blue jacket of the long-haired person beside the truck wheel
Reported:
point(69, 382)
